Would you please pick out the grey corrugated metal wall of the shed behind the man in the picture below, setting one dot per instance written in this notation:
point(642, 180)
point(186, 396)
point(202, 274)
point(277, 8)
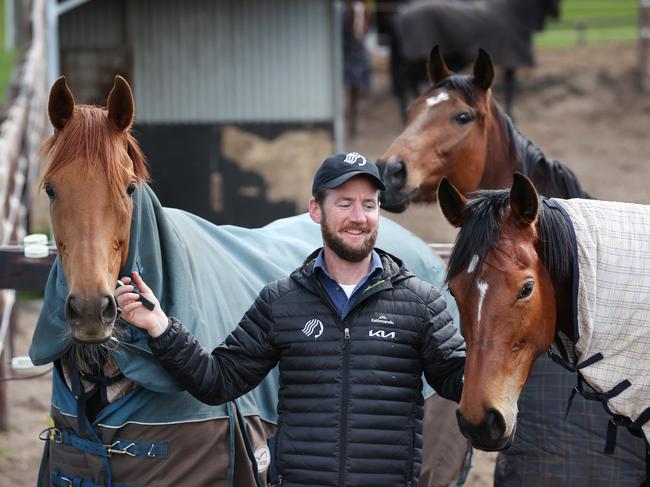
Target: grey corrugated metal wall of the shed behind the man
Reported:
point(217, 60)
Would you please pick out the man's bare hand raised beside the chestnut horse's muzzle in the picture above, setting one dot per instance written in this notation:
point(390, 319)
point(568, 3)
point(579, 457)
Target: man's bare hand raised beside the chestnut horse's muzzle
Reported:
point(154, 322)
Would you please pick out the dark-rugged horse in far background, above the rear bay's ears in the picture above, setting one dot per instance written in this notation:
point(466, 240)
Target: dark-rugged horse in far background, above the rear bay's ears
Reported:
point(504, 28)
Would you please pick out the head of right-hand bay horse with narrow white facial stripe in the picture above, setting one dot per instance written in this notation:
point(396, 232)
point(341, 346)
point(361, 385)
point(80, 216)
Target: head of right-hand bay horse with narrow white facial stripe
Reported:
point(504, 271)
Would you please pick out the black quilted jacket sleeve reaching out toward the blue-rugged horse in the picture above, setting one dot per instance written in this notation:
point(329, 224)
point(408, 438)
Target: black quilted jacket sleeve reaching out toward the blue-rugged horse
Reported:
point(230, 370)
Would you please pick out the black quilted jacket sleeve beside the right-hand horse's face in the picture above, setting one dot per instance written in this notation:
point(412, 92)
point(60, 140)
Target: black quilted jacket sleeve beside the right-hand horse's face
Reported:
point(443, 350)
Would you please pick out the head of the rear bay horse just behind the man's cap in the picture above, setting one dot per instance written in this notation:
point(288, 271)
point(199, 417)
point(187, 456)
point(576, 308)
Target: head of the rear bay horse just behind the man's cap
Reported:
point(446, 135)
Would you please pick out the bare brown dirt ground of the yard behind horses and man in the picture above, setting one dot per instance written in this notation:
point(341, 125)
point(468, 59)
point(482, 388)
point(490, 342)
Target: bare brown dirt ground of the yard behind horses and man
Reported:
point(580, 106)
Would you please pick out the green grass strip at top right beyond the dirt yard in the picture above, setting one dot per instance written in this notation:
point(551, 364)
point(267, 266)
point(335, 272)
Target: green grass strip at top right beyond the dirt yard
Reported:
point(603, 22)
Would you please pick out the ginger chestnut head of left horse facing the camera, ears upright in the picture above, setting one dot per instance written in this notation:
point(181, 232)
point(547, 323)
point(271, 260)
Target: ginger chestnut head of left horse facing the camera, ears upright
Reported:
point(94, 165)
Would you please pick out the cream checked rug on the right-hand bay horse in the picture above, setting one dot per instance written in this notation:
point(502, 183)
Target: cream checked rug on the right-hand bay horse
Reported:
point(613, 303)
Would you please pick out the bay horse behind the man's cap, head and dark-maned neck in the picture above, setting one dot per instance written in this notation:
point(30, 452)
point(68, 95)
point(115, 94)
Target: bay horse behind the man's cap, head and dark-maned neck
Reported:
point(457, 130)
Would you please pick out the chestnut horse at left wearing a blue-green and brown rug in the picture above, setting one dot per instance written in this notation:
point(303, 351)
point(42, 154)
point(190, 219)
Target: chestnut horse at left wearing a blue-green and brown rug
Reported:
point(117, 418)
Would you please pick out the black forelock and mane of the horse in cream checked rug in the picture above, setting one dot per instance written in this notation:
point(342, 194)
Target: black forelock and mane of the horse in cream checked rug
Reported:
point(482, 220)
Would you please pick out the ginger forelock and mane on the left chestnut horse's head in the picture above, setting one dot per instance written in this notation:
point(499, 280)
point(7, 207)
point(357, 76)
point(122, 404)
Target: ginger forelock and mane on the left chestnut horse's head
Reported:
point(90, 137)
